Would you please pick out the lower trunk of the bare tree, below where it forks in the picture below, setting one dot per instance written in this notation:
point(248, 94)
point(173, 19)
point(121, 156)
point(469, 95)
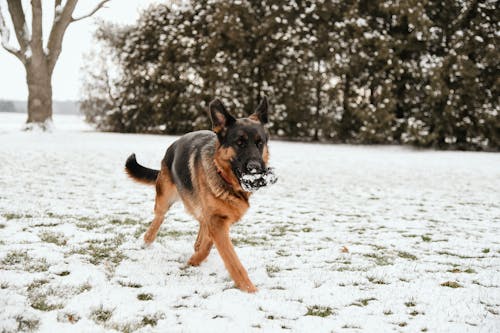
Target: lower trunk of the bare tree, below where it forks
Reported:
point(39, 94)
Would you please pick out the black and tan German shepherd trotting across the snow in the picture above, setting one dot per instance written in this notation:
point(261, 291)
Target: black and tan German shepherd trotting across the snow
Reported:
point(204, 170)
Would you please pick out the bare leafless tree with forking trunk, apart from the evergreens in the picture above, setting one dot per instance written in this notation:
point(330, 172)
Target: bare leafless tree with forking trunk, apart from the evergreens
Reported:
point(38, 59)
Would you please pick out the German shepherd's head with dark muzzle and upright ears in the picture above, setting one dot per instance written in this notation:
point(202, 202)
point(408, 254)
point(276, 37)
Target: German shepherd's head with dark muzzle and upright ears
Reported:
point(242, 147)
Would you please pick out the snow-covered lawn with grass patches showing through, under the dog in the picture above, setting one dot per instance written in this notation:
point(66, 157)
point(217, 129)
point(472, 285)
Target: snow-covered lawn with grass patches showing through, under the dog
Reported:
point(350, 239)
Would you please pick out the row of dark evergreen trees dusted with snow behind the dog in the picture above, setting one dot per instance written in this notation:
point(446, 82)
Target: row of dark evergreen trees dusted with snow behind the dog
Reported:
point(385, 72)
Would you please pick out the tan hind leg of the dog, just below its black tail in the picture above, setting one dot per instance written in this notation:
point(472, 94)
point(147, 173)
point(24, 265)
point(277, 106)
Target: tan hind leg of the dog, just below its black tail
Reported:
point(166, 195)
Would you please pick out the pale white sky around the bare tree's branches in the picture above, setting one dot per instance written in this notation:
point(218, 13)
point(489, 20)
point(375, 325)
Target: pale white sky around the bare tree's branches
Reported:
point(77, 42)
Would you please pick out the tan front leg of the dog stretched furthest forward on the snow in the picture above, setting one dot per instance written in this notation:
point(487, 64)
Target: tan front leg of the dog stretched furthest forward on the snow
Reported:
point(219, 232)
